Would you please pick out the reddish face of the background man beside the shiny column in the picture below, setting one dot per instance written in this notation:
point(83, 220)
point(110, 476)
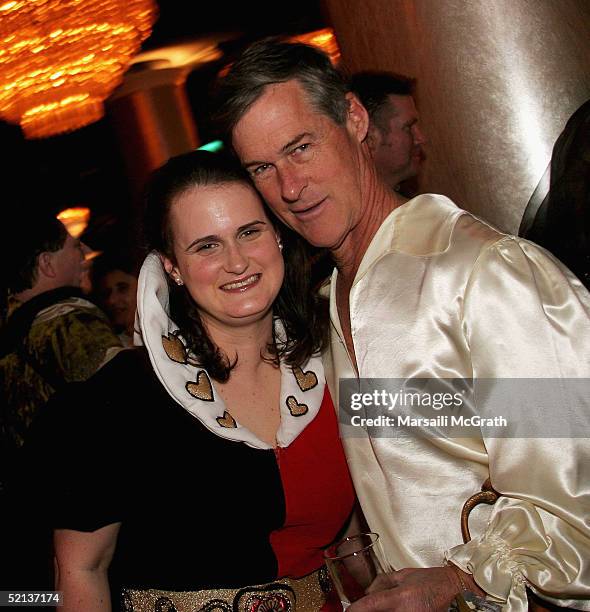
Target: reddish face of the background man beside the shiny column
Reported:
point(396, 140)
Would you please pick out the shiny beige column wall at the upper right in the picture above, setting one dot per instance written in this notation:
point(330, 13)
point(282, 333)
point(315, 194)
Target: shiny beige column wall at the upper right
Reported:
point(497, 80)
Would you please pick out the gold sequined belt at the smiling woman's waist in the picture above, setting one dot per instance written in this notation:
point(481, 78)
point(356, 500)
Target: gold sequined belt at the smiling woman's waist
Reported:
point(306, 594)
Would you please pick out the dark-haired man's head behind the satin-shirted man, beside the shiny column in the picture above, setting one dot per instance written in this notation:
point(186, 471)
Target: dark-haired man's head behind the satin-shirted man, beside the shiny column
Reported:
point(395, 137)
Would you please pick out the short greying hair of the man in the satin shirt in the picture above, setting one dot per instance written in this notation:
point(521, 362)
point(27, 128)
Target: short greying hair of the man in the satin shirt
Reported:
point(272, 61)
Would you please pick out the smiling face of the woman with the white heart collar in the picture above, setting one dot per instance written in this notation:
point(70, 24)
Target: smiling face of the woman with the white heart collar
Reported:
point(226, 253)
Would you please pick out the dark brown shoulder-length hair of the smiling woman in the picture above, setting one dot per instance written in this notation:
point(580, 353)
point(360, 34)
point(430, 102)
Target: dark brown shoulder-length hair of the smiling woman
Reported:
point(302, 312)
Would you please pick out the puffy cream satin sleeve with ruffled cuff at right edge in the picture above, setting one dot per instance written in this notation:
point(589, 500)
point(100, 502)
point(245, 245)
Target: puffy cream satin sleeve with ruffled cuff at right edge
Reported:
point(526, 316)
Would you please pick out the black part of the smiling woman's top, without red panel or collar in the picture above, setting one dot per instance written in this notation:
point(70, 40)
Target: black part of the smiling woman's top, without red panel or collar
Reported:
point(127, 452)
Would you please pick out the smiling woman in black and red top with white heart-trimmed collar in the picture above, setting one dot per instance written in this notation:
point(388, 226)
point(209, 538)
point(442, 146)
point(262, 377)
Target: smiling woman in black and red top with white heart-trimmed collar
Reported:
point(223, 469)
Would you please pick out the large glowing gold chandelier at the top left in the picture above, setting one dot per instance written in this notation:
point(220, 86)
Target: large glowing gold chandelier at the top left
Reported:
point(60, 59)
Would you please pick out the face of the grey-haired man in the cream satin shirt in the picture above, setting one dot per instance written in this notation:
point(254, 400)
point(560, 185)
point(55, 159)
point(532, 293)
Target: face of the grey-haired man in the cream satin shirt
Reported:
point(306, 167)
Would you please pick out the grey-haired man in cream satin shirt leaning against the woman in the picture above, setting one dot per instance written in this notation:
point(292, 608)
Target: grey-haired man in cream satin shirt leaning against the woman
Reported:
point(425, 290)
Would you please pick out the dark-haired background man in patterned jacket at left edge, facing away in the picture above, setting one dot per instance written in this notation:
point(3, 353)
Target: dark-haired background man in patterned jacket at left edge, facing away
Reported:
point(52, 334)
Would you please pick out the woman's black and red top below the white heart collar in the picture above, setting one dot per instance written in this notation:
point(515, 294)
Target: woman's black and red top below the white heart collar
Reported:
point(198, 511)
